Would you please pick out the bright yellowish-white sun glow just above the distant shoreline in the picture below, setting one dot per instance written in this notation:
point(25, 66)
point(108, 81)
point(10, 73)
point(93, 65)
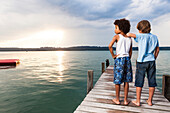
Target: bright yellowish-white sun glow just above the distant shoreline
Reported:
point(47, 38)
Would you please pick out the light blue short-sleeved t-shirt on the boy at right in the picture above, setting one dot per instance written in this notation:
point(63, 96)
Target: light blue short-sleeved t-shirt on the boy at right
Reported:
point(147, 43)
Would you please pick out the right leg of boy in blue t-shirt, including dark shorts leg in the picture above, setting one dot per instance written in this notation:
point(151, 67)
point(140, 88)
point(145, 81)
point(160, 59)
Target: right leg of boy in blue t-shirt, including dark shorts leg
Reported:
point(151, 74)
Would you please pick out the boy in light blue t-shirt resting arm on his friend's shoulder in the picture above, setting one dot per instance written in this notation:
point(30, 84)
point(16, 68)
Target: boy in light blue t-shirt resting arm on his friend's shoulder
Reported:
point(148, 50)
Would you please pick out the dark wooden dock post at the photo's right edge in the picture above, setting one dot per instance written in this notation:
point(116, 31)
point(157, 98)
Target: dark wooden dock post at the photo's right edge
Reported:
point(166, 86)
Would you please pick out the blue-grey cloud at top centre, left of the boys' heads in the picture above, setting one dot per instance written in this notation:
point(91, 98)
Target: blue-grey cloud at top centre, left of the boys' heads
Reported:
point(92, 9)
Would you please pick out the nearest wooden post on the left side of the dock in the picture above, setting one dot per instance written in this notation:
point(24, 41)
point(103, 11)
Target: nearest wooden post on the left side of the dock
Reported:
point(89, 80)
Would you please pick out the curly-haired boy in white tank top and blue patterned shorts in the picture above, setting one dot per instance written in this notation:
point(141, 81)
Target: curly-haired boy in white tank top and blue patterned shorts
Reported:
point(122, 63)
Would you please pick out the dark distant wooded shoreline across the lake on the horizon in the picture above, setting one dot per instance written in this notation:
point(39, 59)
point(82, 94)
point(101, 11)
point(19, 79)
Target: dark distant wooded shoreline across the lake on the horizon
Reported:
point(76, 48)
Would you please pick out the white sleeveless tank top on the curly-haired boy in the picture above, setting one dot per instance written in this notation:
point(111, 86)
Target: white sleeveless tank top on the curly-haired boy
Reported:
point(123, 46)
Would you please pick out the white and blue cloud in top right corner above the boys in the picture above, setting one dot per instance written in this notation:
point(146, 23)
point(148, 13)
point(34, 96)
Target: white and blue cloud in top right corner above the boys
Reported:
point(146, 9)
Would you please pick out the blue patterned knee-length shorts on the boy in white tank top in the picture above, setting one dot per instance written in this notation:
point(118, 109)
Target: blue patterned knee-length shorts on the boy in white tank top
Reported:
point(122, 70)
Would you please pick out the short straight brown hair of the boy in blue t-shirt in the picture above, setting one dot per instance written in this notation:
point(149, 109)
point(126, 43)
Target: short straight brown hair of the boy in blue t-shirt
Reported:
point(144, 26)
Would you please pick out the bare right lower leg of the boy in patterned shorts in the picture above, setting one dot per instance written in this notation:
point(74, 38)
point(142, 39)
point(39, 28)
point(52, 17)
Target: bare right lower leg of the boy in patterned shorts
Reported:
point(126, 90)
